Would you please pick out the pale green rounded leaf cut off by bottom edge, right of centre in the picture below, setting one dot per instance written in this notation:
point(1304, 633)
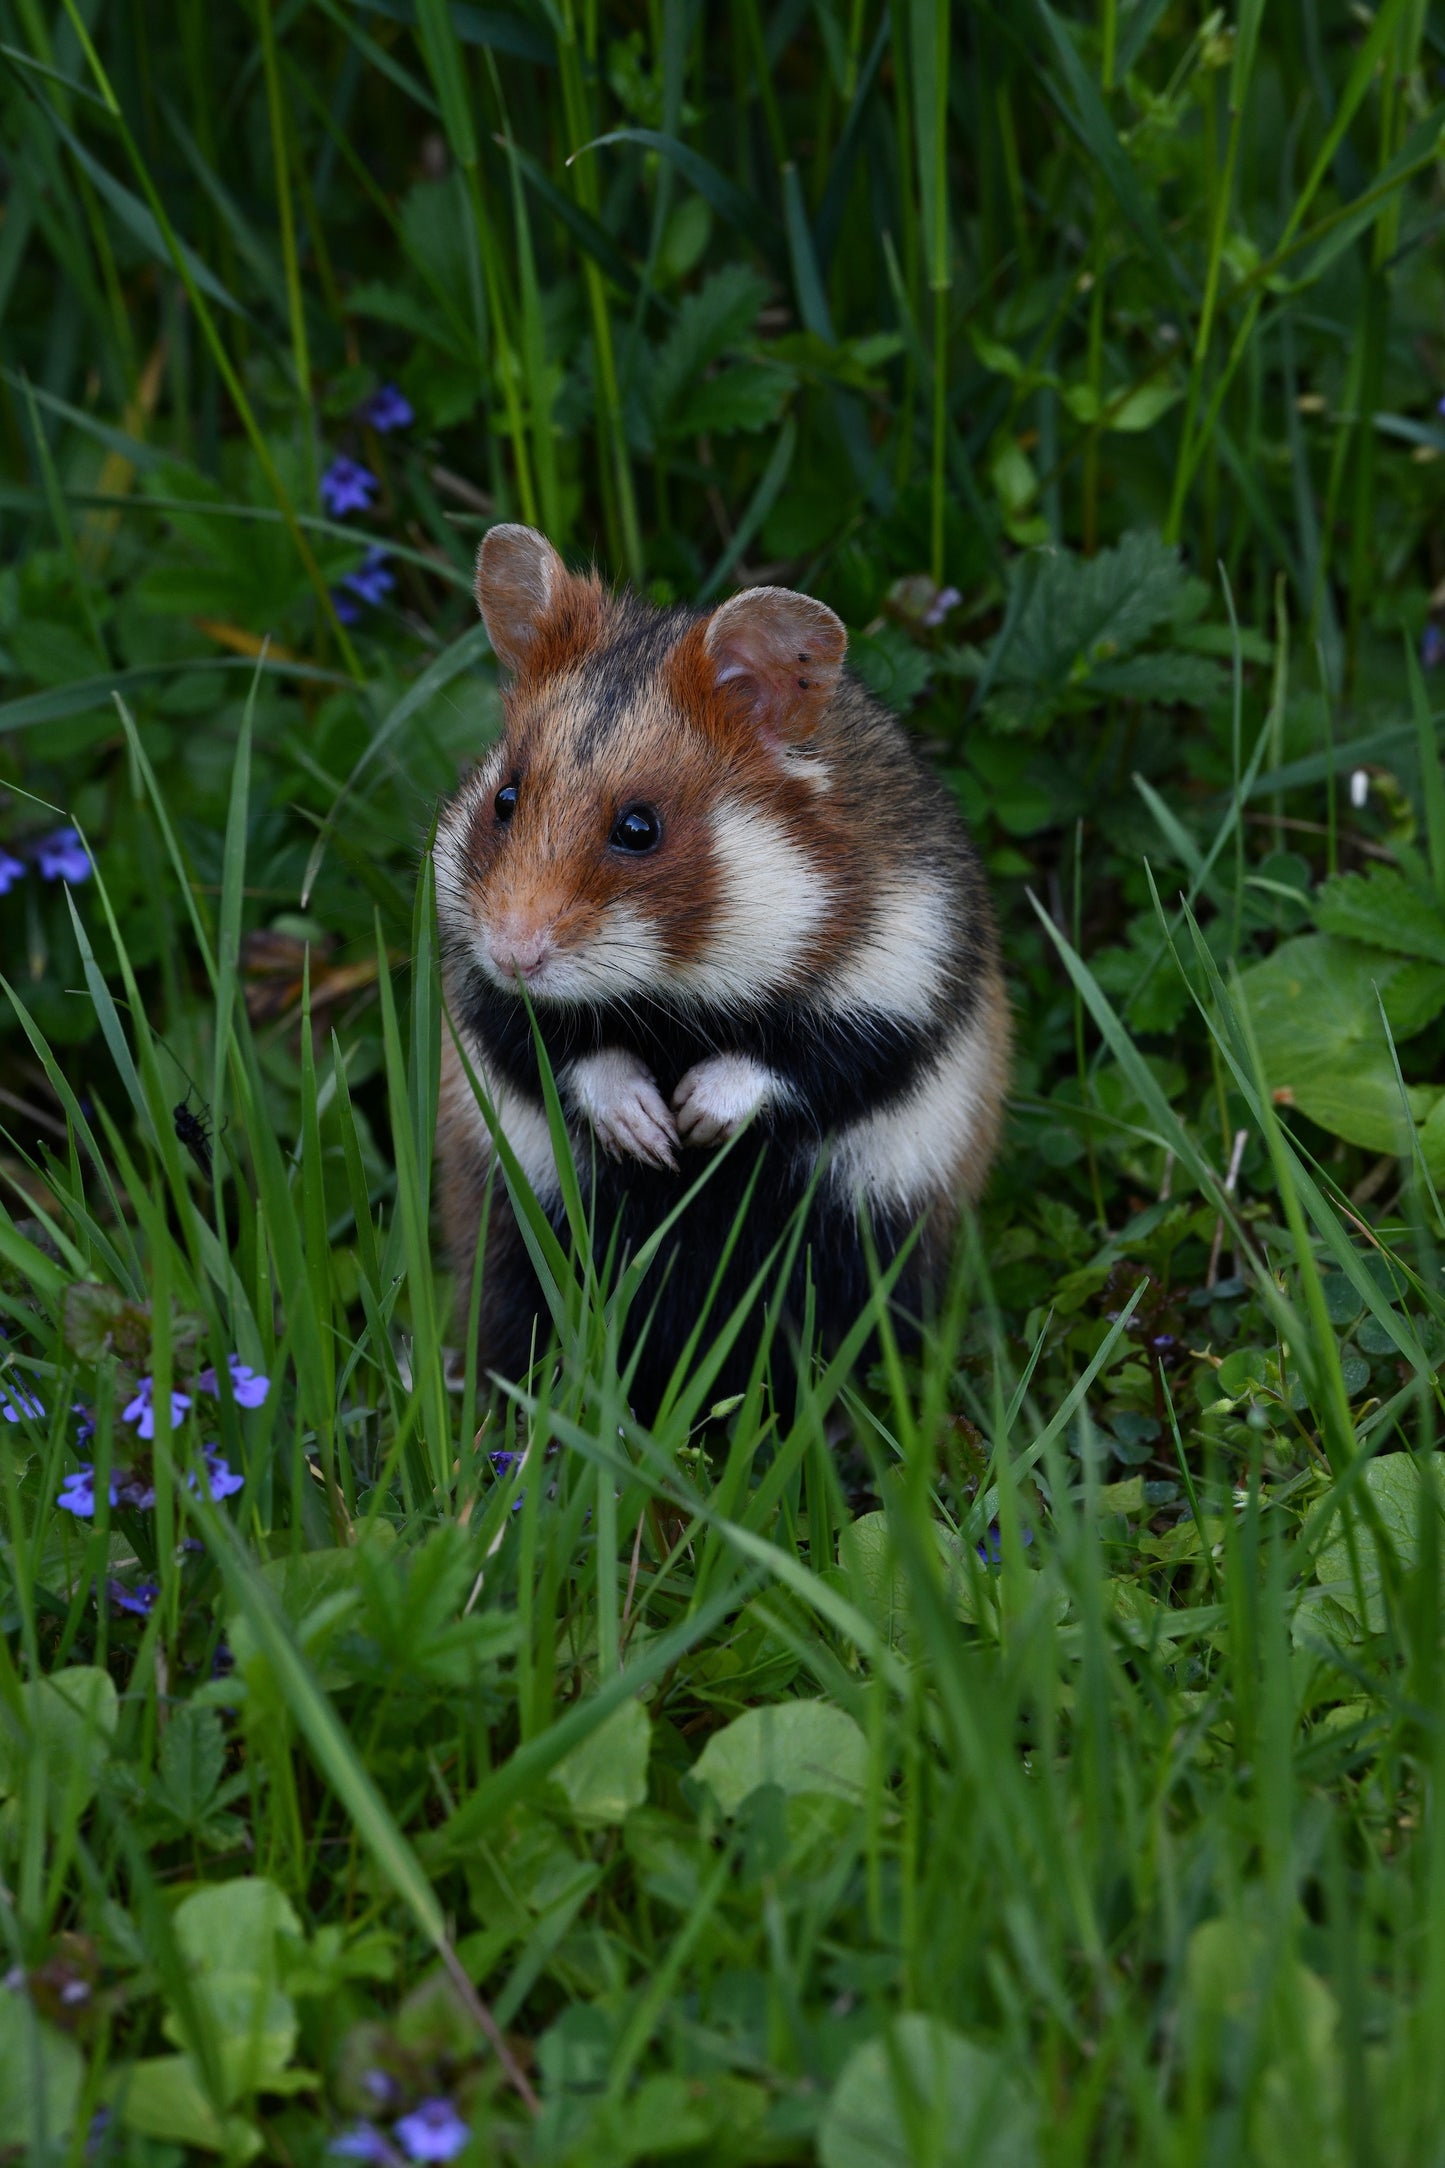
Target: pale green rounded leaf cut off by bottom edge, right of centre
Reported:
point(920, 2091)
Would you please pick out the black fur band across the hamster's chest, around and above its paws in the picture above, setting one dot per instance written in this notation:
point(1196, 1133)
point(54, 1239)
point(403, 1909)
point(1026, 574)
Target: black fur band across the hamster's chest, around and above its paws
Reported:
point(839, 1068)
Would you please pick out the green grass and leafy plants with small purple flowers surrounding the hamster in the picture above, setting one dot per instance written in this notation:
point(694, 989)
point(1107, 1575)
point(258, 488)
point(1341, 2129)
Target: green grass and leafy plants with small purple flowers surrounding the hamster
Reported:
point(1021, 1753)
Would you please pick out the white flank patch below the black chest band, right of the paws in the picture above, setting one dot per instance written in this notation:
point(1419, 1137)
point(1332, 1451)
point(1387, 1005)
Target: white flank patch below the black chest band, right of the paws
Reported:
point(911, 1152)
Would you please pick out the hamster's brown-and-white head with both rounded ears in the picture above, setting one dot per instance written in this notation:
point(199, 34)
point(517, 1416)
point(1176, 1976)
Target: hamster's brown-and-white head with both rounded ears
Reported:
point(655, 821)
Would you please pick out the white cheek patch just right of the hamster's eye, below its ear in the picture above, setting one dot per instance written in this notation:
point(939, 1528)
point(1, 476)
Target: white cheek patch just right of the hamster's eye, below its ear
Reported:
point(772, 903)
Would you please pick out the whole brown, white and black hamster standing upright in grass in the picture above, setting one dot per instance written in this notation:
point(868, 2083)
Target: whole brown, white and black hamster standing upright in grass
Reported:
point(735, 896)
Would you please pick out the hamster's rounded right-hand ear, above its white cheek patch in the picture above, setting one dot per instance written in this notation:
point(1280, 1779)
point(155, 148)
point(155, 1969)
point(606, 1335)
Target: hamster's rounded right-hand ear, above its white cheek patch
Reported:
point(781, 654)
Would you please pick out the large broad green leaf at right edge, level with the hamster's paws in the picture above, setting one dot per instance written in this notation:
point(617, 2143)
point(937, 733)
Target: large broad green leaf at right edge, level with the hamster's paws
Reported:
point(1320, 1040)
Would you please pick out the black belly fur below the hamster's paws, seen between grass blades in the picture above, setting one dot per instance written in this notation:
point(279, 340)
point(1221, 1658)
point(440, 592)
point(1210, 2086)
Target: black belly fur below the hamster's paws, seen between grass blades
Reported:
point(629, 1202)
